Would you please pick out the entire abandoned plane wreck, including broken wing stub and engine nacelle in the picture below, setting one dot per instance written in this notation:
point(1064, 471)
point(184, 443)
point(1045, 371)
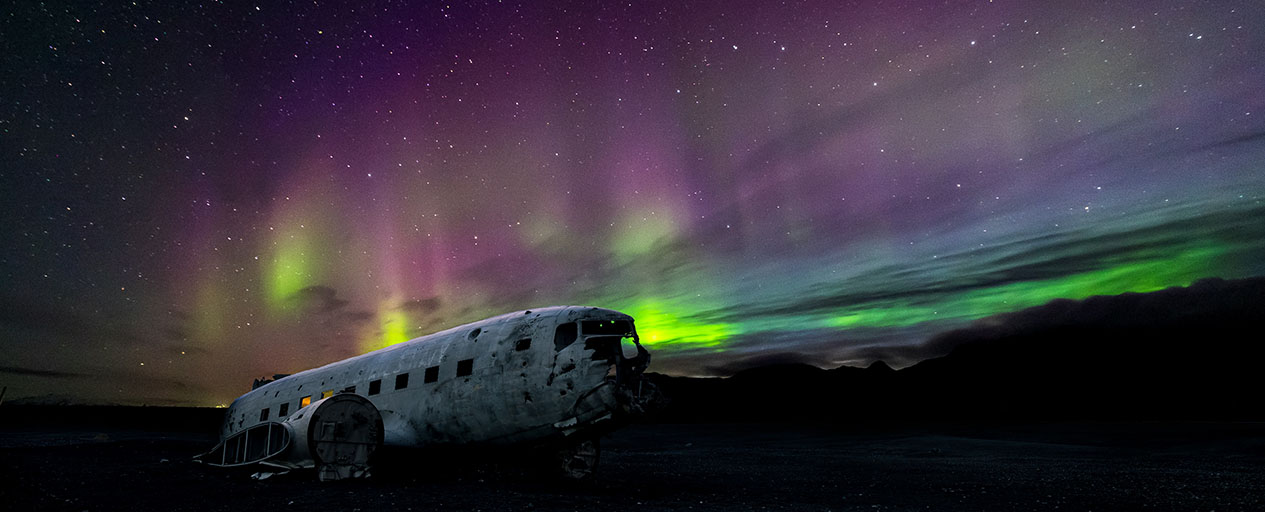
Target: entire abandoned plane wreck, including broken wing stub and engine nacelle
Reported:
point(558, 376)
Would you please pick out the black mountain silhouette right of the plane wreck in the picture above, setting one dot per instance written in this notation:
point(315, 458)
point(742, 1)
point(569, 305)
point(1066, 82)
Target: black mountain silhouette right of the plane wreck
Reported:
point(1187, 353)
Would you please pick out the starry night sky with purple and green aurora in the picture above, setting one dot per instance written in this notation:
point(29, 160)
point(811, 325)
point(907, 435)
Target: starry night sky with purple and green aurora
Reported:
point(201, 195)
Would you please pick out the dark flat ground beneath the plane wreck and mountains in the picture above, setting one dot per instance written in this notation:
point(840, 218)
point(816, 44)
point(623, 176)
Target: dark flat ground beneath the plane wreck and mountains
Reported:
point(908, 466)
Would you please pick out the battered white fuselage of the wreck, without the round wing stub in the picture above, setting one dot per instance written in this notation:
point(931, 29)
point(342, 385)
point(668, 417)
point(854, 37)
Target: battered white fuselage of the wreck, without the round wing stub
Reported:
point(504, 380)
